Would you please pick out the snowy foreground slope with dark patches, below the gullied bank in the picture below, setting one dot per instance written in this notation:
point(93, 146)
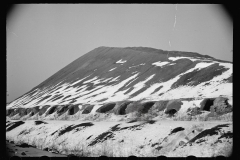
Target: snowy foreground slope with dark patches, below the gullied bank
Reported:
point(122, 139)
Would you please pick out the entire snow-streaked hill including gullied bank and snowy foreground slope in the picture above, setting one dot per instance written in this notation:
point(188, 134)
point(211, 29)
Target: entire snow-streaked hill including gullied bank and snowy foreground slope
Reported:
point(129, 101)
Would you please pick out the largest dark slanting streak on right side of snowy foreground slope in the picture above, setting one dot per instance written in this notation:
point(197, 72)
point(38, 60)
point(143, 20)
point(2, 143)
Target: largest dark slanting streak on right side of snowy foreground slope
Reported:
point(208, 132)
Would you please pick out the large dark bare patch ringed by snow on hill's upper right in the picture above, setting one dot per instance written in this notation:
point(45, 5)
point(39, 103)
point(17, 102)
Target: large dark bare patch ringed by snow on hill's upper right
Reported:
point(200, 76)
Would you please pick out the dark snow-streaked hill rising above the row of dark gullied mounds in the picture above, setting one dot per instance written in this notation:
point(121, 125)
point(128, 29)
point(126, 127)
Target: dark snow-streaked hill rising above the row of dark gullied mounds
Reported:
point(109, 75)
